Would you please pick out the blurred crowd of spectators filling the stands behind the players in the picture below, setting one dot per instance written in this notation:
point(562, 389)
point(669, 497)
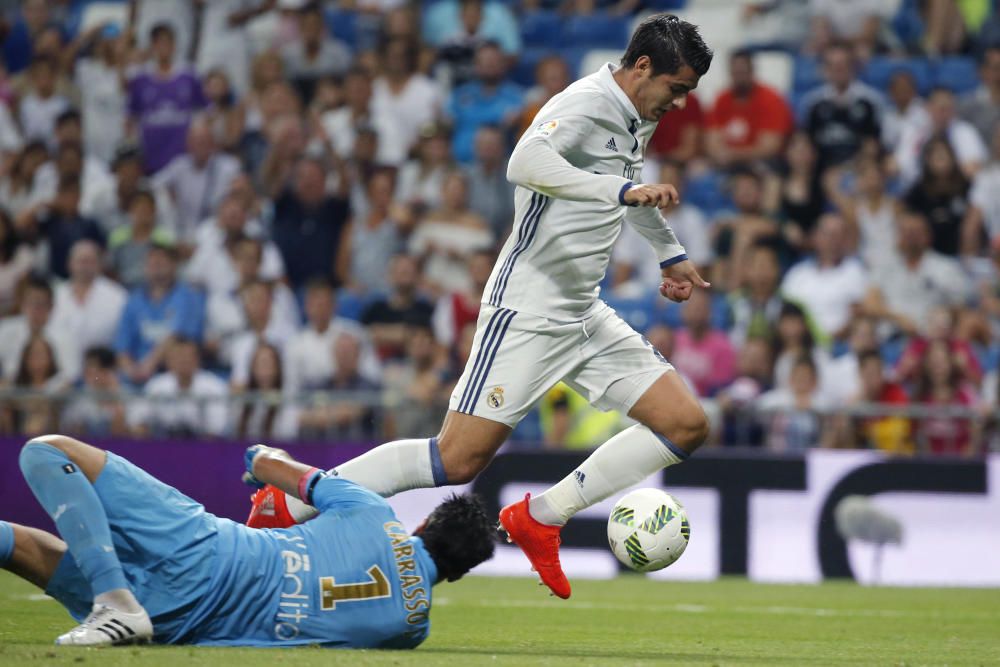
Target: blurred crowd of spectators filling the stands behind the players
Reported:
point(202, 200)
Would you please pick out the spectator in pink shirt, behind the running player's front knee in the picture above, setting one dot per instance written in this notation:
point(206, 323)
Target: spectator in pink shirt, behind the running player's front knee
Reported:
point(702, 353)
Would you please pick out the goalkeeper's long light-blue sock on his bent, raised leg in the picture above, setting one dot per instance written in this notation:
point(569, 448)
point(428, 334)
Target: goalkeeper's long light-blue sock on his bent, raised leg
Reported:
point(72, 502)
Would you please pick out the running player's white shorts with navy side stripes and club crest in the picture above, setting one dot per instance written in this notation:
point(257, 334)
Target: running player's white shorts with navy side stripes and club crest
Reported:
point(517, 357)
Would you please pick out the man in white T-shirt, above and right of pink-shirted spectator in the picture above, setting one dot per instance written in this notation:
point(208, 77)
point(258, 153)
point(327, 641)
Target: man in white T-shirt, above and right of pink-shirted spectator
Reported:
point(829, 283)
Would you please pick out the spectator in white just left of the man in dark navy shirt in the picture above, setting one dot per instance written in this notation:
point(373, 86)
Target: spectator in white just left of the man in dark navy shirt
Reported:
point(213, 264)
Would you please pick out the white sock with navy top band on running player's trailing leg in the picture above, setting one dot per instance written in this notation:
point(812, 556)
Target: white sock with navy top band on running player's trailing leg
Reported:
point(397, 466)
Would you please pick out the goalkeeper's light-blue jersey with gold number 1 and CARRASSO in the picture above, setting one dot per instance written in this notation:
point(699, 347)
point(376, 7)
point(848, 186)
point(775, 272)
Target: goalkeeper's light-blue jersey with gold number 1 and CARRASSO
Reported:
point(351, 577)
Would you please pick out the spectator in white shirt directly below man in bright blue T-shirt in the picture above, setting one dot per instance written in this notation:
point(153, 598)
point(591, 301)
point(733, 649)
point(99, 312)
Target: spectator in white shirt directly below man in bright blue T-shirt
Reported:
point(183, 402)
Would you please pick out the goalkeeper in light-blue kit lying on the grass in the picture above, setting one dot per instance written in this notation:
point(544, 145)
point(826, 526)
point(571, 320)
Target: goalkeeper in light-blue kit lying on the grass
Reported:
point(143, 562)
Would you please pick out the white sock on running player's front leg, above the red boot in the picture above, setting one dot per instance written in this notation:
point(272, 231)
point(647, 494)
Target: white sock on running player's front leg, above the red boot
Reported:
point(627, 458)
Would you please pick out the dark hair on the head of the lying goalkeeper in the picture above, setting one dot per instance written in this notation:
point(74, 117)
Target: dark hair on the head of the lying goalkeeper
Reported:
point(459, 535)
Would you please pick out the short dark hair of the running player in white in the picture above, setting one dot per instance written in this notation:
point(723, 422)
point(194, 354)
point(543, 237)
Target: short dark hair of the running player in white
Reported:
point(670, 43)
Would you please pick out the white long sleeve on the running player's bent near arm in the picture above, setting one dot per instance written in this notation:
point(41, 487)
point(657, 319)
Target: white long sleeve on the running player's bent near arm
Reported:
point(537, 163)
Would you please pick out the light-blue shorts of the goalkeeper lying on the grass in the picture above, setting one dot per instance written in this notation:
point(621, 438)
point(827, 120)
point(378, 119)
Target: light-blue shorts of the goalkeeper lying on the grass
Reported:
point(167, 544)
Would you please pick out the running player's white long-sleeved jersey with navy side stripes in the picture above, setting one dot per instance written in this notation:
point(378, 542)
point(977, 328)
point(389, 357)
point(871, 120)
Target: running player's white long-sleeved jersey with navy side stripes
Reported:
point(572, 168)
